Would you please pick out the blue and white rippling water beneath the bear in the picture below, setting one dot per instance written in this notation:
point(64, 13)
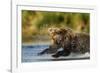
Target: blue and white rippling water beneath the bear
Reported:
point(29, 54)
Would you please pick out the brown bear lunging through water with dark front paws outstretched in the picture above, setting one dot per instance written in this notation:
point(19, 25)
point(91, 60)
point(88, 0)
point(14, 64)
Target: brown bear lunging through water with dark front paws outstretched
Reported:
point(69, 40)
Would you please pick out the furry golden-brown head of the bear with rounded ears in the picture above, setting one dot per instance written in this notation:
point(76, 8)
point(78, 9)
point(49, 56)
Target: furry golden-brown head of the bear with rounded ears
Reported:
point(60, 35)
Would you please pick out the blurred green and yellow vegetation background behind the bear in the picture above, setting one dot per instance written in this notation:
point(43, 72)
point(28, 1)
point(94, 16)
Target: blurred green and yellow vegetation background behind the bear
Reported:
point(36, 23)
